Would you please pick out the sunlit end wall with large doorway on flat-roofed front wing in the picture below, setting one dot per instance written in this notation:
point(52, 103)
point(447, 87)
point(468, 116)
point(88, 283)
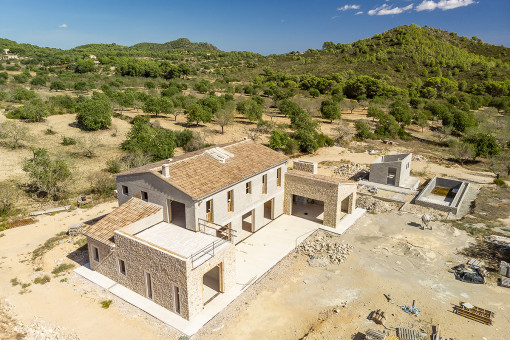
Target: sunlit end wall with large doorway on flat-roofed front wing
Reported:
point(195, 277)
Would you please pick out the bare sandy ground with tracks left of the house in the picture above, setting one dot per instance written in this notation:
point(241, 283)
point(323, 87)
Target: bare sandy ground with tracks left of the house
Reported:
point(73, 305)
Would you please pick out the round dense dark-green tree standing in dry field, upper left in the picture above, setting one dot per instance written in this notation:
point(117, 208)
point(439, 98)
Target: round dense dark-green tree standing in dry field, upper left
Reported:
point(94, 114)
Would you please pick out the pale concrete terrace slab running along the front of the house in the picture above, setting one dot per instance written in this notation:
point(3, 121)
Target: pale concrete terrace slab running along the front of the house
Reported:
point(254, 257)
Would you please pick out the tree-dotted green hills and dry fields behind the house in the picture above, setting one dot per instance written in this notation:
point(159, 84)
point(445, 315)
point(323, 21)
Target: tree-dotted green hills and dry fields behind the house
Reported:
point(449, 93)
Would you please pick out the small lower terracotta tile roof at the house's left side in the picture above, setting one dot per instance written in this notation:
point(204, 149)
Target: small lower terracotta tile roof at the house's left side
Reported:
point(129, 212)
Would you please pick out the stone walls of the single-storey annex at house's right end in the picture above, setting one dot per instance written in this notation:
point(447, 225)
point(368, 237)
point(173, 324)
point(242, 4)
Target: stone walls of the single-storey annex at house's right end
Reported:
point(330, 193)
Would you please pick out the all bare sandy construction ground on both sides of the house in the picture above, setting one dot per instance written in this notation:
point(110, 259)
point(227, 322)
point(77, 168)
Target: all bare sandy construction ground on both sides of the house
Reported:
point(296, 299)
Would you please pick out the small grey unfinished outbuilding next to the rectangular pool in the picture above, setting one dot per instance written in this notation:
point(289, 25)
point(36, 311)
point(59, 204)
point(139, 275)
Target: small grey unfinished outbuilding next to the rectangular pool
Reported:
point(379, 168)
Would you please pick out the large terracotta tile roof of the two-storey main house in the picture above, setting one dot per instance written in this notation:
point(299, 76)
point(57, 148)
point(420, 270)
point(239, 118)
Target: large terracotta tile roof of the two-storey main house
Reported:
point(200, 175)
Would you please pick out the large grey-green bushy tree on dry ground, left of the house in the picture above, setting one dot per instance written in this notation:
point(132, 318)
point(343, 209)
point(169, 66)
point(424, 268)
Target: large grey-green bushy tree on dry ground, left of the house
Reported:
point(50, 177)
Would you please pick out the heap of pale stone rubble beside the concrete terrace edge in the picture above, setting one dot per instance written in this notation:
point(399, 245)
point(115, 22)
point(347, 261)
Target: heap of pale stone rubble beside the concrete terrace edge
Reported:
point(322, 250)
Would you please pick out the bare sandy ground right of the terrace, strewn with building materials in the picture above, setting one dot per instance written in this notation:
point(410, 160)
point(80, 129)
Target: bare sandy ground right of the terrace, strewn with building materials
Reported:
point(391, 256)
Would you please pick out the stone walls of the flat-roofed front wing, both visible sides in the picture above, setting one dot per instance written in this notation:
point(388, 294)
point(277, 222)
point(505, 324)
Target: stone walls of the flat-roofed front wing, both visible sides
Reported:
point(166, 270)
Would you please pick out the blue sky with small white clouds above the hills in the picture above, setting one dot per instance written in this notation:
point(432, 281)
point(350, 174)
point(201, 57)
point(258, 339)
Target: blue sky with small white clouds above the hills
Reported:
point(259, 26)
